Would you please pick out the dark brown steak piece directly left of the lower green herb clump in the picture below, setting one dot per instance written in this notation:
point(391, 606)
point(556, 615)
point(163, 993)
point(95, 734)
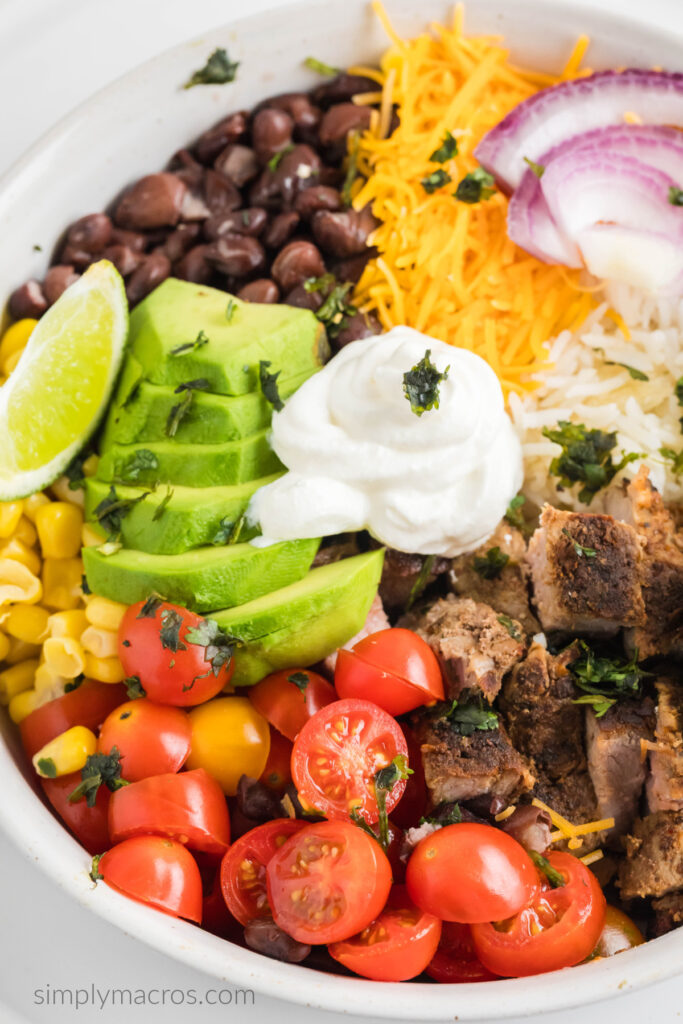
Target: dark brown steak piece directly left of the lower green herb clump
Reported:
point(543, 722)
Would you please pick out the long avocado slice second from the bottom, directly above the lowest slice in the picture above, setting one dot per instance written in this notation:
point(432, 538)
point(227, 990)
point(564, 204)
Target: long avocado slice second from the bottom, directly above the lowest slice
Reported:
point(203, 579)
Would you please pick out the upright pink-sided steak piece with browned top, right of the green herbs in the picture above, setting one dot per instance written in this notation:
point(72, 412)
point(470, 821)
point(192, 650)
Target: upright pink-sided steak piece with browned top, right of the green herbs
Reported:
point(615, 763)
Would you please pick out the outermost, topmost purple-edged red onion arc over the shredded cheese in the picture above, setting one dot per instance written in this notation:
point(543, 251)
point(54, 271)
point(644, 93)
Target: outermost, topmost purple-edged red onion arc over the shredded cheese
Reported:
point(554, 115)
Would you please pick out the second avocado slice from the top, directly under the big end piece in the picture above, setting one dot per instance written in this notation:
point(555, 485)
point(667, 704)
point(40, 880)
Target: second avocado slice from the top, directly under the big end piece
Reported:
point(210, 418)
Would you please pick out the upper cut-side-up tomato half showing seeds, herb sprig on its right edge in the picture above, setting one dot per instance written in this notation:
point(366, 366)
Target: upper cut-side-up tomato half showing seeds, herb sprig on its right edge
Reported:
point(337, 755)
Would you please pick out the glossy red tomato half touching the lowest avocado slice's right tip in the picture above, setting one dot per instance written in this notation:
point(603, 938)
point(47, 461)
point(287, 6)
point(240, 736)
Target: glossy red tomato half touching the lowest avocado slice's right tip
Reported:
point(395, 669)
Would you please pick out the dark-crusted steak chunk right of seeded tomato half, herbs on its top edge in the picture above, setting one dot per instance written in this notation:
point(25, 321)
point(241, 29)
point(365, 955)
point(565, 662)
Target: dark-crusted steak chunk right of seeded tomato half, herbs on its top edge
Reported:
point(460, 769)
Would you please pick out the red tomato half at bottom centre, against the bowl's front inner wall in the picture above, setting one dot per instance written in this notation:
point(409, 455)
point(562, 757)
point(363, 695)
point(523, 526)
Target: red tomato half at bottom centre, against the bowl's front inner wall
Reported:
point(397, 947)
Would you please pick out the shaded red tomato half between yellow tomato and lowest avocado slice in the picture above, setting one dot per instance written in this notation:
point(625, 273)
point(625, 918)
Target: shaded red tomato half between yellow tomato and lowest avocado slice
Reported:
point(289, 699)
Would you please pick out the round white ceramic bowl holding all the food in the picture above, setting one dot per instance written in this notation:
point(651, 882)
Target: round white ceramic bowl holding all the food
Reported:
point(133, 127)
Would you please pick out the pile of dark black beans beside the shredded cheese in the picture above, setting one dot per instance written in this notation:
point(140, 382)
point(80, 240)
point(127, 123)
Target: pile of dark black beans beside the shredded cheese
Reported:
point(257, 207)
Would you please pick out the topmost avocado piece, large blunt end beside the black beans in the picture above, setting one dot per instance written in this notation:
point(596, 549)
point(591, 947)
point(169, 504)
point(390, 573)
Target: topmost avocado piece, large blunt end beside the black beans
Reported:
point(226, 350)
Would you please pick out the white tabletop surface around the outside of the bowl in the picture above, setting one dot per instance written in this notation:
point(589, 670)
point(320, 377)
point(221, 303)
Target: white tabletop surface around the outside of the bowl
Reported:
point(55, 54)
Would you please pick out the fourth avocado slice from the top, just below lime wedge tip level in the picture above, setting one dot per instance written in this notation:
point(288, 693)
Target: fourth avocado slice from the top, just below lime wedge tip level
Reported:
point(191, 518)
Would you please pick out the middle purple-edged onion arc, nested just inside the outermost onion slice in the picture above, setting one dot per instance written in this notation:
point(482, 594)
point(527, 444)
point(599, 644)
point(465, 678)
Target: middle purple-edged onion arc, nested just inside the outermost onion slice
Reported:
point(530, 223)
